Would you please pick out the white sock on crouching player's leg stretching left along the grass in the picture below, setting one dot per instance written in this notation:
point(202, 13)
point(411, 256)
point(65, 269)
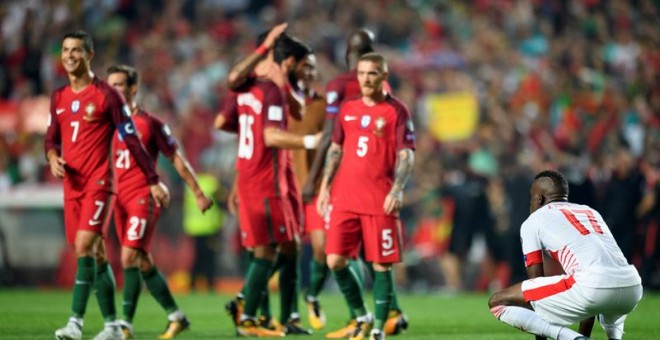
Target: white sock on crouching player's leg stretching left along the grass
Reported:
point(528, 321)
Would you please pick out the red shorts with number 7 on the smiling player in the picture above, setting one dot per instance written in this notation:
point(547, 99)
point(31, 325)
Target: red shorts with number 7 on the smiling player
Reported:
point(89, 212)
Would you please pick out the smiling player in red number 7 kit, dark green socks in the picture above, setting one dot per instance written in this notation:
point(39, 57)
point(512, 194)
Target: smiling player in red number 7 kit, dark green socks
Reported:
point(83, 117)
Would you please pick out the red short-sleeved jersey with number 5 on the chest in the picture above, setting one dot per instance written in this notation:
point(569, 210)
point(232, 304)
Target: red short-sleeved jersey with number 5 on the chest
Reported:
point(371, 137)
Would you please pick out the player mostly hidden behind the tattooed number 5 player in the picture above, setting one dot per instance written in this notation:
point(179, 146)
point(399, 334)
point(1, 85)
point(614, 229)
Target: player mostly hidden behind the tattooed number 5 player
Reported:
point(338, 89)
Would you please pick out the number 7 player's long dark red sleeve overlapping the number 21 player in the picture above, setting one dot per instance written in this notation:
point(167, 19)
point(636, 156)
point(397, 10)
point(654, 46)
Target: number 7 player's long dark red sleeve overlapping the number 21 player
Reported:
point(121, 117)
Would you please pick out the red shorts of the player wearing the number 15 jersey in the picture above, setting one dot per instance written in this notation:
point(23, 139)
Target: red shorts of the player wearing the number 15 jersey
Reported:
point(263, 221)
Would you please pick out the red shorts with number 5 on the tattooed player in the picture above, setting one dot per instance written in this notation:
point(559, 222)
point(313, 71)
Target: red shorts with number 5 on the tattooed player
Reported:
point(381, 236)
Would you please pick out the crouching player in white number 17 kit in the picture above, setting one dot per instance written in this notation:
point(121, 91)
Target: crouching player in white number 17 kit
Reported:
point(598, 279)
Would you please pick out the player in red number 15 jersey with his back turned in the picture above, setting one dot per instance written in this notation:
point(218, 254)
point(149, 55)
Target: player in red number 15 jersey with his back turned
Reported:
point(257, 112)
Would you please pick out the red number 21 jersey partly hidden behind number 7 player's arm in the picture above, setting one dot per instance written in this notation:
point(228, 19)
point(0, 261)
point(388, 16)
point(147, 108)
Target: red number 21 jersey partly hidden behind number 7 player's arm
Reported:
point(155, 136)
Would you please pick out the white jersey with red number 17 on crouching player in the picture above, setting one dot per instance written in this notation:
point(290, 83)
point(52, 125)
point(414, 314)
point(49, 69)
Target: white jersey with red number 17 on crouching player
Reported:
point(577, 237)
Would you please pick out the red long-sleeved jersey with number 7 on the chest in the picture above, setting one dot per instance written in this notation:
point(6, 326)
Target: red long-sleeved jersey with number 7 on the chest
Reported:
point(80, 128)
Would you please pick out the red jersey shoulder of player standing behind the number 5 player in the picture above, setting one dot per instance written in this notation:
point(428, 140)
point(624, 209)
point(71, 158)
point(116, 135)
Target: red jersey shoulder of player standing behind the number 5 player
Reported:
point(343, 87)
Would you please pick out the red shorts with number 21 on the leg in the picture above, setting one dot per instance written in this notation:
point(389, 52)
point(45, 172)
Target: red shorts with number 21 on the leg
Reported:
point(135, 219)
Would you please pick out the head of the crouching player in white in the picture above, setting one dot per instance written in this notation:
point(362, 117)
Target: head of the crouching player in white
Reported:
point(549, 186)
